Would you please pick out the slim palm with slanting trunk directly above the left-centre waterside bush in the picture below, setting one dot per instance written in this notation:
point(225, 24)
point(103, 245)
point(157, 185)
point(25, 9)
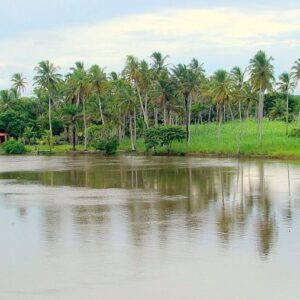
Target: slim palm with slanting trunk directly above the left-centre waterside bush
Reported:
point(98, 80)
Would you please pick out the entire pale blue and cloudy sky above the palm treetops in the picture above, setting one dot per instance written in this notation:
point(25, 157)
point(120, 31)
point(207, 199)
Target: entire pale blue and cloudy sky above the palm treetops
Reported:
point(221, 34)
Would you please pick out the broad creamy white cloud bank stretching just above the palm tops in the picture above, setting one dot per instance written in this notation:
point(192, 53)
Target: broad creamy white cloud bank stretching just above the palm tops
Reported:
point(213, 34)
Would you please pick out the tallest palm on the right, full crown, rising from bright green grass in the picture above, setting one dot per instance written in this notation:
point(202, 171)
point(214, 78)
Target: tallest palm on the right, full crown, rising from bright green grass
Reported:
point(261, 78)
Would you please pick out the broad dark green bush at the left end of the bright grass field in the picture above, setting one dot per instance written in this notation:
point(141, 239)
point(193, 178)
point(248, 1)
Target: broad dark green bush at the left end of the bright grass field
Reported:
point(163, 136)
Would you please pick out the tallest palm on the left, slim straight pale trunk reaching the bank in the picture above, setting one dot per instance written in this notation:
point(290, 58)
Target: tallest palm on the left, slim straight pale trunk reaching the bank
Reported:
point(47, 78)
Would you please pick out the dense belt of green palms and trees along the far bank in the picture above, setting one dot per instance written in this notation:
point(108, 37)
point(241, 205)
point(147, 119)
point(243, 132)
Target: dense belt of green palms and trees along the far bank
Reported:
point(88, 108)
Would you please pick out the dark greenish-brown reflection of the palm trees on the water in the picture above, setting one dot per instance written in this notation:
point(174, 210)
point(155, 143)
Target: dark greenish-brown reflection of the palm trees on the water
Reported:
point(148, 199)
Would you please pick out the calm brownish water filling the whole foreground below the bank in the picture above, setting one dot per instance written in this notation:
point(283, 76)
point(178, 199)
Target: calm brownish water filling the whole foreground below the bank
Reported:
point(90, 227)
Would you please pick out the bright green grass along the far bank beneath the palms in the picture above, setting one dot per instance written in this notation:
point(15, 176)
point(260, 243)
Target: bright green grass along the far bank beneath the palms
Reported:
point(205, 140)
